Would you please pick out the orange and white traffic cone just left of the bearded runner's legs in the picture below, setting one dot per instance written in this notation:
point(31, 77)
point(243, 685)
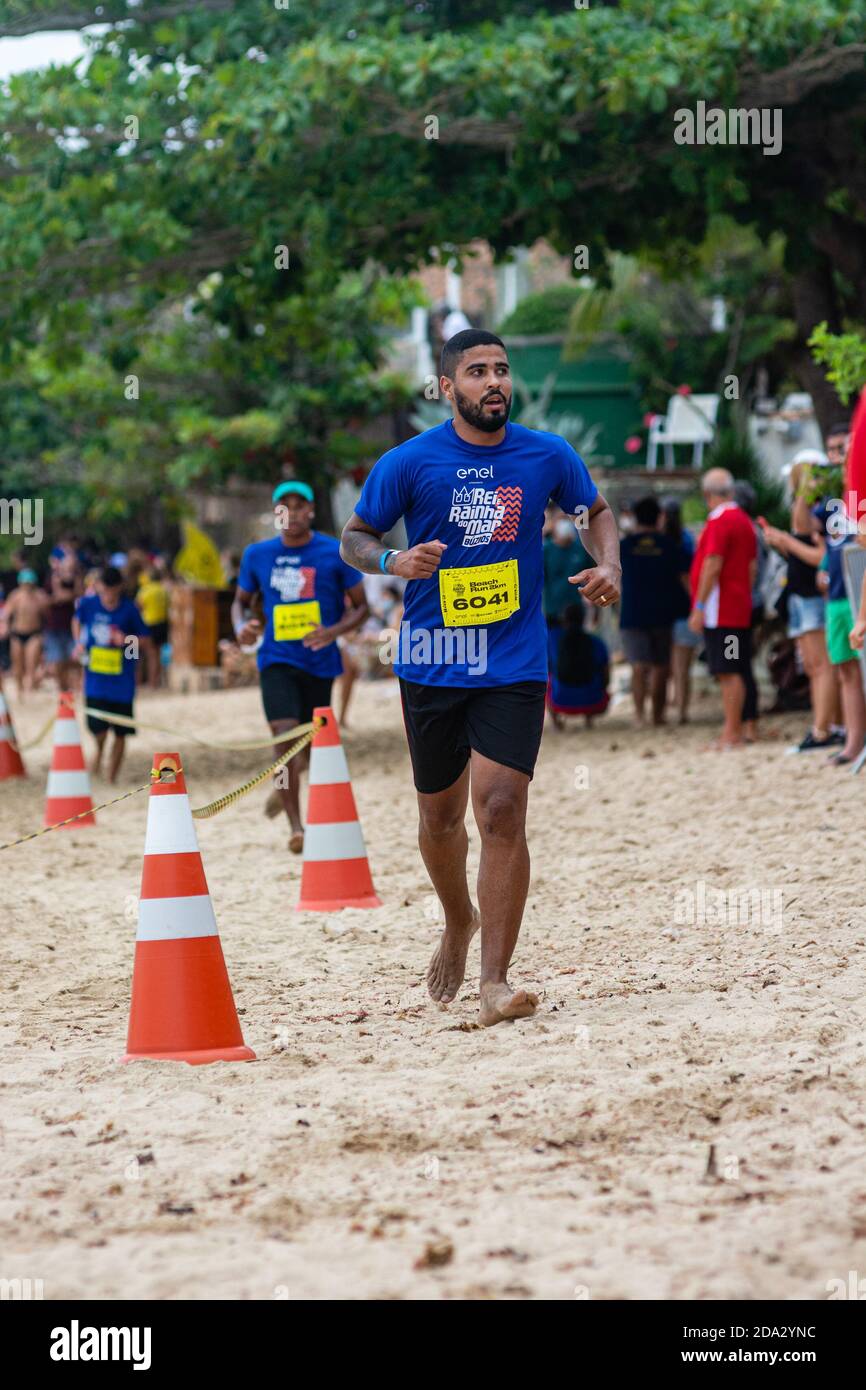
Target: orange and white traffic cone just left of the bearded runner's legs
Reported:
point(336, 871)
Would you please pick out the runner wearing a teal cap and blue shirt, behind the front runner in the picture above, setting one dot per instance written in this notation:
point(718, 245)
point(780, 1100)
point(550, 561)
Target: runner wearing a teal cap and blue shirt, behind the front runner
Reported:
point(311, 598)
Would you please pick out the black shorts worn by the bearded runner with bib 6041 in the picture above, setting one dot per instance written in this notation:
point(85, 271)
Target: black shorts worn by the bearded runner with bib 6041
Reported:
point(446, 723)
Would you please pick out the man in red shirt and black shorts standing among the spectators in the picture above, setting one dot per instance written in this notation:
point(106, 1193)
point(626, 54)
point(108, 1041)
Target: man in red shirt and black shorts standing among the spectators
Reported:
point(722, 580)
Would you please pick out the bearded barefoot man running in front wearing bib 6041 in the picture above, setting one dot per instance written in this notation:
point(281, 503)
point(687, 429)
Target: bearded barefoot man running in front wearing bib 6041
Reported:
point(472, 651)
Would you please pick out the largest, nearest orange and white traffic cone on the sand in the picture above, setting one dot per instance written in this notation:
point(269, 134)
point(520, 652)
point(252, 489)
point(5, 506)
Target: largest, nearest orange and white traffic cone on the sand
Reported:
point(183, 1006)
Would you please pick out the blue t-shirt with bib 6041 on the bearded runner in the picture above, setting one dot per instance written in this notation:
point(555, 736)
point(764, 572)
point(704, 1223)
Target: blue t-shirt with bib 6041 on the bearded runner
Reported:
point(486, 504)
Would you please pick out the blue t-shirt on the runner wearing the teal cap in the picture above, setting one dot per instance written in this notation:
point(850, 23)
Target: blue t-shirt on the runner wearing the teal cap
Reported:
point(302, 587)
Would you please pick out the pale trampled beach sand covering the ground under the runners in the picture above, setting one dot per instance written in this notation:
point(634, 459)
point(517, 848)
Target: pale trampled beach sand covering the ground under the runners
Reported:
point(559, 1154)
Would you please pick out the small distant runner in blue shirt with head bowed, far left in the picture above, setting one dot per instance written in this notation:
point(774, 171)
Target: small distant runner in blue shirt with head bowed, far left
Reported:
point(112, 633)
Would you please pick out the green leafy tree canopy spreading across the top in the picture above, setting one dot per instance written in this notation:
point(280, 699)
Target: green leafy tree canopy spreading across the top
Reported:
point(198, 137)
